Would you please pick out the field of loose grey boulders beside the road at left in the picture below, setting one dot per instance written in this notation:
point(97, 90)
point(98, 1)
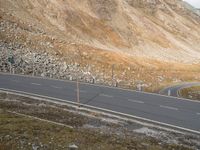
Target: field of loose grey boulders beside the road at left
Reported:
point(29, 62)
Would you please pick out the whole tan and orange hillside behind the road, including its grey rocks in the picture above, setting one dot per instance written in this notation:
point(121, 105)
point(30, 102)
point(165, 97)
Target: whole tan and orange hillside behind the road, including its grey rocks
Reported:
point(147, 40)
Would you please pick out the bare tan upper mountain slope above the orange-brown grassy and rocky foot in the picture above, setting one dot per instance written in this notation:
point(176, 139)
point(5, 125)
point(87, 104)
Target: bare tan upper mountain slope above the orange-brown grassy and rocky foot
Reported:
point(162, 29)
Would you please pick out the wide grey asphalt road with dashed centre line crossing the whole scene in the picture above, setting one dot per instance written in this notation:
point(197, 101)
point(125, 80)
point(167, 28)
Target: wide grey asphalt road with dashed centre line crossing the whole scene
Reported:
point(169, 110)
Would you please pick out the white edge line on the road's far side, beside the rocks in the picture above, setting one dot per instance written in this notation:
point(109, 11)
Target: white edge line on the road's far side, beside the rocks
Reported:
point(155, 94)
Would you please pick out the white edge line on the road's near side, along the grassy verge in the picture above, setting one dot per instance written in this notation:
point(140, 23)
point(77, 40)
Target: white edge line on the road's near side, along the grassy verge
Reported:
point(104, 110)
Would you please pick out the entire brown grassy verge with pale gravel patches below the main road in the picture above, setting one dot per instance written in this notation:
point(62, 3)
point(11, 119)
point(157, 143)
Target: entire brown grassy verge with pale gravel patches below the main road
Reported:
point(24, 133)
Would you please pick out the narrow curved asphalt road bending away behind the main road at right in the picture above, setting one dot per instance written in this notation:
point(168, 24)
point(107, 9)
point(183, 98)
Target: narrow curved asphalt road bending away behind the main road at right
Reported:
point(175, 89)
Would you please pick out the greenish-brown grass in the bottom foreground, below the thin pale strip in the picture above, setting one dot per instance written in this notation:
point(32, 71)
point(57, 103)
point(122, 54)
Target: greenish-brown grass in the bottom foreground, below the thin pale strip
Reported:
point(24, 133)
